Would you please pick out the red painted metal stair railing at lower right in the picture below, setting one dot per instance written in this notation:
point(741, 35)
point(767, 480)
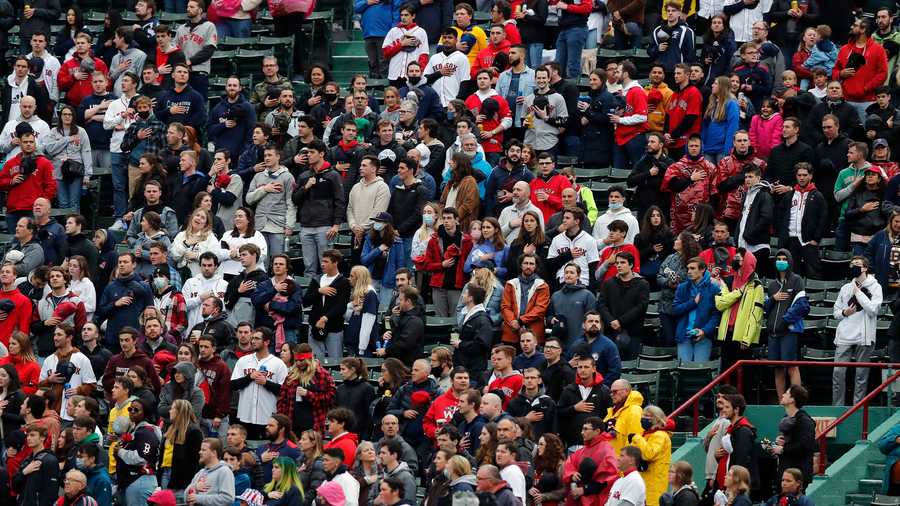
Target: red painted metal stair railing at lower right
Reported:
point(738, 370)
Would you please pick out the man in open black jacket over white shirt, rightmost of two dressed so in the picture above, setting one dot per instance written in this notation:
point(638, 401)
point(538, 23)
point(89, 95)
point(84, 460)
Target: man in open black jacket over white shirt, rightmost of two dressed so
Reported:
point(801, 221)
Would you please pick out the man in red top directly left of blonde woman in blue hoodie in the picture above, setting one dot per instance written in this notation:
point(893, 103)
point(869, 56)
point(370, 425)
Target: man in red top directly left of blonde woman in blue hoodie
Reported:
point(683, 117)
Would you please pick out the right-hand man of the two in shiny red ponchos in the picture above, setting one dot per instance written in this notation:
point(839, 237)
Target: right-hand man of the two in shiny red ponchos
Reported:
point(729, 178)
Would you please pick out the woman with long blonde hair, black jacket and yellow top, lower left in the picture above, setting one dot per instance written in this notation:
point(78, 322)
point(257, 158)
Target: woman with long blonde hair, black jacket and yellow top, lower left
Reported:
point(181, 443)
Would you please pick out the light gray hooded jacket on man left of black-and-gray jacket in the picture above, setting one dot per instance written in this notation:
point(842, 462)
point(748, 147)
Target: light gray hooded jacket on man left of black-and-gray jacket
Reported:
point(274, 211)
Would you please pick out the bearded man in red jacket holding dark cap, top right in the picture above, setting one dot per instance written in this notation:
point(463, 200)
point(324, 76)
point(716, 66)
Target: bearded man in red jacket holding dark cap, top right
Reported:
point(861, 76)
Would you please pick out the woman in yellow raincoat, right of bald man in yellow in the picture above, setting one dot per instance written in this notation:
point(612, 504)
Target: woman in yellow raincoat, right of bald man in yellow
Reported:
point(656, 451)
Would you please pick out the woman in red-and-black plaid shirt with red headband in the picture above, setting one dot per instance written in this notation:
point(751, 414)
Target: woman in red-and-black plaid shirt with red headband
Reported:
point(307, 393)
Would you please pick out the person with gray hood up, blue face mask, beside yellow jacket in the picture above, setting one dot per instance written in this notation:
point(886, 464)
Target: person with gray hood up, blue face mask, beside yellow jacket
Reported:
point(786, 316)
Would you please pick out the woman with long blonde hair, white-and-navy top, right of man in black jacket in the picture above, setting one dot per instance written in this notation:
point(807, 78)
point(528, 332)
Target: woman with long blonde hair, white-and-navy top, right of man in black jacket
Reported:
point(362, 312)
